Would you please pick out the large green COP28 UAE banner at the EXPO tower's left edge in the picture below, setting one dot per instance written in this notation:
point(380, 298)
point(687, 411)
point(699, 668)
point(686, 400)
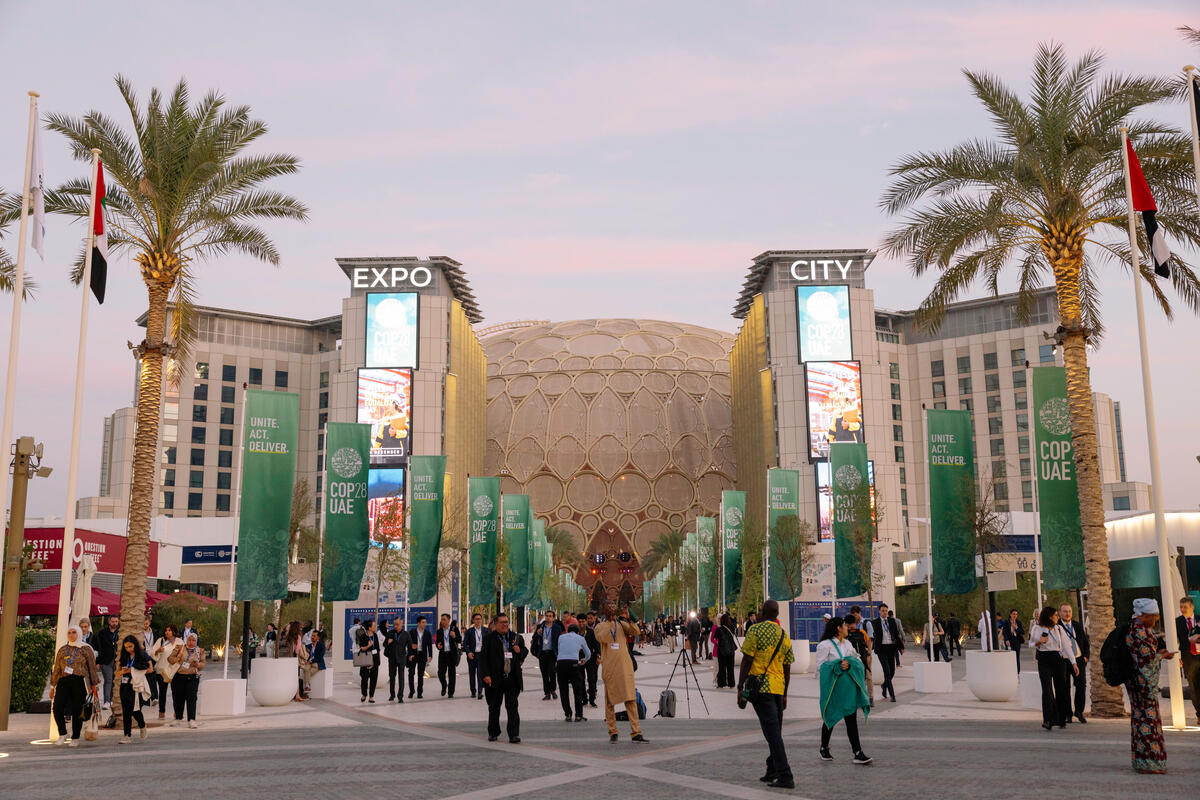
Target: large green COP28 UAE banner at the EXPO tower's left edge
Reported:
point(347, 534)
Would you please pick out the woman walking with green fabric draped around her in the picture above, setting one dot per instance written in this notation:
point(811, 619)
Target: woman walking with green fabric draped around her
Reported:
point(843, 688)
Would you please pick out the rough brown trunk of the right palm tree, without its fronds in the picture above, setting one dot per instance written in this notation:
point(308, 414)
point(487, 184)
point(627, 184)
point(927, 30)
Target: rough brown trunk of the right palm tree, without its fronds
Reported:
point(1106, 700)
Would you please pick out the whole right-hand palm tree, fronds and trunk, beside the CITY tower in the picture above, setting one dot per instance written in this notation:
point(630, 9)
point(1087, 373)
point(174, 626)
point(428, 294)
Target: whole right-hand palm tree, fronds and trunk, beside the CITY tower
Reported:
point(1047, 196)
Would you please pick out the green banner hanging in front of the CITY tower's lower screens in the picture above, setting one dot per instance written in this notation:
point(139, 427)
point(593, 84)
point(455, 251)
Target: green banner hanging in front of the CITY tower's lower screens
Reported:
point(854, 533)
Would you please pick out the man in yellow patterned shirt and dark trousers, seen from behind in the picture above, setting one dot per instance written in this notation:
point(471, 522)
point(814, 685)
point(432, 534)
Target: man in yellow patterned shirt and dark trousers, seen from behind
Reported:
point(764, 682)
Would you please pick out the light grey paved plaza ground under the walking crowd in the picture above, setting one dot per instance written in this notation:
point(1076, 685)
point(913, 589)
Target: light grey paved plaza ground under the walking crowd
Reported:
point(925, 745)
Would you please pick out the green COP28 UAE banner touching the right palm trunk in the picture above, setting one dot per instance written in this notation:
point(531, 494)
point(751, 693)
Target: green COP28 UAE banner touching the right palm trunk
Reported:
point(1063, 527)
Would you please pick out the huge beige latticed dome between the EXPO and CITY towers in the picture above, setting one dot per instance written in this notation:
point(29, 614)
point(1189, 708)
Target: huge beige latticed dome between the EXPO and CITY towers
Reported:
point(619, 430)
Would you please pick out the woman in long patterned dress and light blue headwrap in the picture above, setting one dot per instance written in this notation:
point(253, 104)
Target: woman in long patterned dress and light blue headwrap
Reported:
point(1145, 724)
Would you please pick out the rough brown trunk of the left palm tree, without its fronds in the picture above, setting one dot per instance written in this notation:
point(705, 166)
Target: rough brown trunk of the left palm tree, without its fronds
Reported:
point(146, 449)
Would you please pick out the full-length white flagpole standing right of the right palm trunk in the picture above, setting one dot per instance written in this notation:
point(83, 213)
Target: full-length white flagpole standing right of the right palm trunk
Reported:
point(1179, 721)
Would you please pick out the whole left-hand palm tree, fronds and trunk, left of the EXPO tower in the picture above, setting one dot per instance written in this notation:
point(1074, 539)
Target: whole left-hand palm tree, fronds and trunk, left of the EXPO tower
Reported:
point(182, 190)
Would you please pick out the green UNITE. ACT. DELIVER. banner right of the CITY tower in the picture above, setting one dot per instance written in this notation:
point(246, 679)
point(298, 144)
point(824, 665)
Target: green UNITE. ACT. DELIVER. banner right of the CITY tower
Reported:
point(952, 491)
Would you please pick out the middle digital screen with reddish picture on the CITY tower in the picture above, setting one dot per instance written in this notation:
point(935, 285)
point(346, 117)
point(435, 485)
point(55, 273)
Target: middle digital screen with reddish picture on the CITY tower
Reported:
point(836, 405)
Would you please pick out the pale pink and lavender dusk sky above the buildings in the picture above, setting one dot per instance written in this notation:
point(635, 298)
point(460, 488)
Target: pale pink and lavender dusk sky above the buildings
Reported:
point(579, 159)
